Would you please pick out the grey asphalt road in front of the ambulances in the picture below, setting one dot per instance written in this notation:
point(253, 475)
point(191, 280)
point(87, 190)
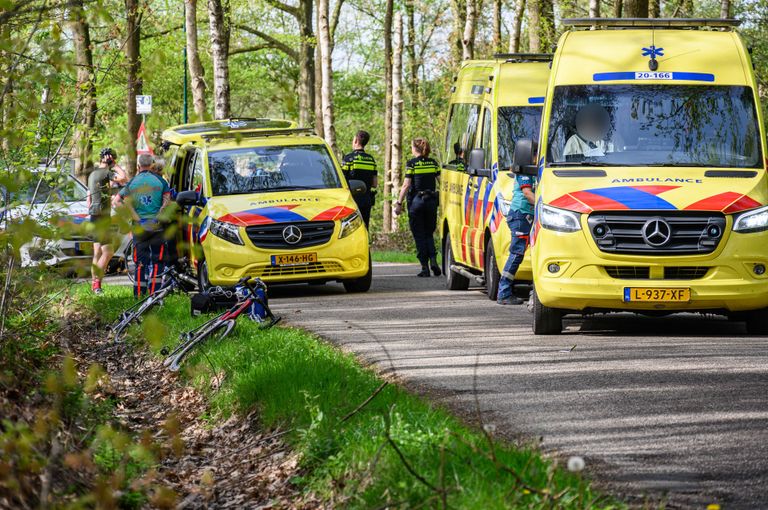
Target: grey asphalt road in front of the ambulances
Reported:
point(671, 406)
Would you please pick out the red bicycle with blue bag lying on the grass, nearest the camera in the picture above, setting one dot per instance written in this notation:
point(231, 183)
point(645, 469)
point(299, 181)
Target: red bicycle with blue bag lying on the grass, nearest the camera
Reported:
point(249, 292)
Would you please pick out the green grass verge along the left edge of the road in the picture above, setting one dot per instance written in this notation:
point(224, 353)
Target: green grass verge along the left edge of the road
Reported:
point(301, 383)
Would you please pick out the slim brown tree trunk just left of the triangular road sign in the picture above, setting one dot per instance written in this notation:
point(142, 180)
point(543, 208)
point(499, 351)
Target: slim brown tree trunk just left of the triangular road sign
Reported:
point(133, 59)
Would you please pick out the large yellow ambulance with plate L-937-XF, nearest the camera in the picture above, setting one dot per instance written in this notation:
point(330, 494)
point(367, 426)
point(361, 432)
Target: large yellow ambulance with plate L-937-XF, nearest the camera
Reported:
point(652, 193)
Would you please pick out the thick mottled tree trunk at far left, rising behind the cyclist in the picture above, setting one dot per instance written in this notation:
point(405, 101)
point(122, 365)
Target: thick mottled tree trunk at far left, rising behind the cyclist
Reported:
point(86, 89)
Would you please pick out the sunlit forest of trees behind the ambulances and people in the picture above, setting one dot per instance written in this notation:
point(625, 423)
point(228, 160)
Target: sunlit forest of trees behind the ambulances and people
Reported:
point(70, 70)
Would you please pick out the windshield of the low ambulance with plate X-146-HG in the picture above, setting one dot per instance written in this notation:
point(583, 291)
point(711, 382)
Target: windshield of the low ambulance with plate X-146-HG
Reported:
point(263, 169)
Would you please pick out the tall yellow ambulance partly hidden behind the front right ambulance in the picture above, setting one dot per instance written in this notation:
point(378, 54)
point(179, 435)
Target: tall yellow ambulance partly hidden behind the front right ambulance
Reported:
point(493, 104)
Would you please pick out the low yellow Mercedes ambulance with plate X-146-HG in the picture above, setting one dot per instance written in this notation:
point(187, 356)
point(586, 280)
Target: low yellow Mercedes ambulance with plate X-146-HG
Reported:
point(266, 199)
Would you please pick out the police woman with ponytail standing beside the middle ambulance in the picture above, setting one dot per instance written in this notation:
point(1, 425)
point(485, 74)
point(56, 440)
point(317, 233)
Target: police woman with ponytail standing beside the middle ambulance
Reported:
point(420, 188)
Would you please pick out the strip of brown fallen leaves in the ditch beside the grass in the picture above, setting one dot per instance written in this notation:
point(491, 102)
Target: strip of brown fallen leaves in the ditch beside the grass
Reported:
point(235, 464)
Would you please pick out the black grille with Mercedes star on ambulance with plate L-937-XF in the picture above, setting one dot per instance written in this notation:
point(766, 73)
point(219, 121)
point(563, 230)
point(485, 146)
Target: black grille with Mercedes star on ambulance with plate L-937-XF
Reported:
point(668, 233)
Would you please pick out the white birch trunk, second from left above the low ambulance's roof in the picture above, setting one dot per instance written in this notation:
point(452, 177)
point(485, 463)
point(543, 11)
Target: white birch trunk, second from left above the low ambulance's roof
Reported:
point(219, 30)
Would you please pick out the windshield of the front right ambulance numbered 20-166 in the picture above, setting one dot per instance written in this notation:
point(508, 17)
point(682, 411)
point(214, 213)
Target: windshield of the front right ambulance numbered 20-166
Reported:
point(654, 125)
